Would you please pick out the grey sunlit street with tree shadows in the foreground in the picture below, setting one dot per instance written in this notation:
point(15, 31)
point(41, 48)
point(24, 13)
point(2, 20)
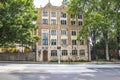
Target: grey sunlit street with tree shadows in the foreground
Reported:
point(59, 71)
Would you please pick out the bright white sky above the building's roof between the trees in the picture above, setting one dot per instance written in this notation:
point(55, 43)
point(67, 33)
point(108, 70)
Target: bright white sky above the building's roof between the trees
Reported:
point(44, 2)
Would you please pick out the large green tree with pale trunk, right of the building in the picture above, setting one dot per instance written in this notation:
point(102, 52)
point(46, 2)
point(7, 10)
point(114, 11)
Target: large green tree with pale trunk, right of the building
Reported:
point(101, 19)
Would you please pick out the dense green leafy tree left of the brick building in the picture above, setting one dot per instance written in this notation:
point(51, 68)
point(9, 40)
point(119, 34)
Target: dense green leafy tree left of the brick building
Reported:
point(16, 24)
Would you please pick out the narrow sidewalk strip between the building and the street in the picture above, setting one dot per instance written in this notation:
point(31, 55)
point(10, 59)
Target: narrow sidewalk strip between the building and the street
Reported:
point(33, 62)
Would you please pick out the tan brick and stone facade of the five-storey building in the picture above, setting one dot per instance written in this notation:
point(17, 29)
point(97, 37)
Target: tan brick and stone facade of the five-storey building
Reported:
point(58, 32)
